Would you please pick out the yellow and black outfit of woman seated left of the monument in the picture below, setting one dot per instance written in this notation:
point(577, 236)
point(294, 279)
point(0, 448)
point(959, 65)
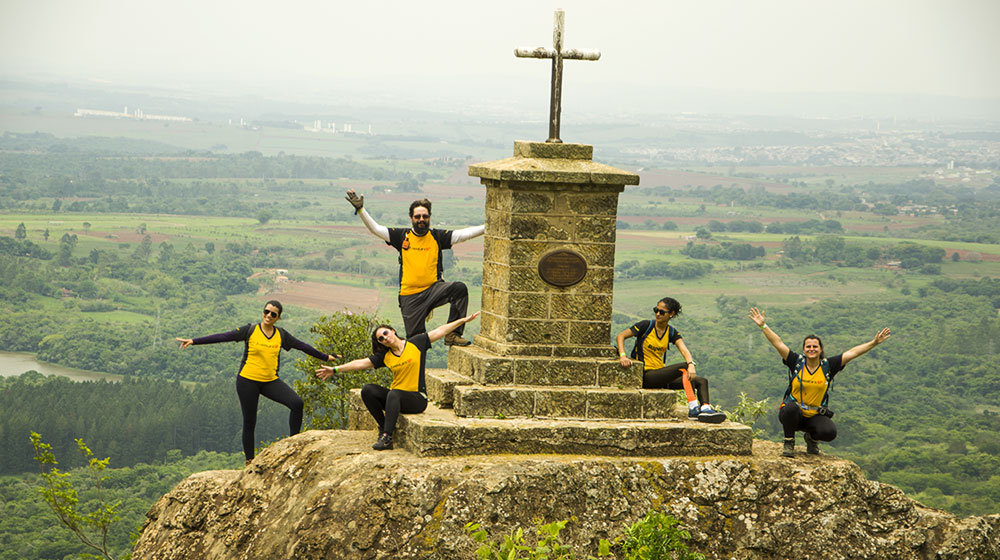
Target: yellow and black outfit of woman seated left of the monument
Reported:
point(408, 391)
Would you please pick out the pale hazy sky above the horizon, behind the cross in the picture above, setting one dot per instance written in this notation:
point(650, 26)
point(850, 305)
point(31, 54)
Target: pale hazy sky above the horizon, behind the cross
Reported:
point(946, 47)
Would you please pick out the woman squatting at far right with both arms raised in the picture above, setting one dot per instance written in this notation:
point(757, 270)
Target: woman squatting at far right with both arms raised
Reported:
point(810, 374)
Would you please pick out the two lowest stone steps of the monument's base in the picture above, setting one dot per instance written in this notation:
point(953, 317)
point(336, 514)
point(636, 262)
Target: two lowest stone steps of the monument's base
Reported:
point(441, 432)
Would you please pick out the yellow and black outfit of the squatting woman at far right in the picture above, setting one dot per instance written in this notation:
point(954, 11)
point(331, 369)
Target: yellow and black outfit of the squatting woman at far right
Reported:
point(799, 411)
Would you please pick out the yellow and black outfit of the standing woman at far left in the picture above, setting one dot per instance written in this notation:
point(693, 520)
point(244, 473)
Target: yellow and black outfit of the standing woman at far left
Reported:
point(258, 375)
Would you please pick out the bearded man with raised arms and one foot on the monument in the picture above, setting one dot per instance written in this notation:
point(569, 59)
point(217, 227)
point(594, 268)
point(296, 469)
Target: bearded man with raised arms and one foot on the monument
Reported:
point(421, 288)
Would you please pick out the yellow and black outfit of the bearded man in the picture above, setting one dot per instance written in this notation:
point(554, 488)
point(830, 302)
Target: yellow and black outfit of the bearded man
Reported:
point(421, 288)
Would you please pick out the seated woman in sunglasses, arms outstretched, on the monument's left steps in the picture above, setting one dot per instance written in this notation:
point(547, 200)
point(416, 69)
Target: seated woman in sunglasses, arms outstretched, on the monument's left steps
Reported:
point(405, 357)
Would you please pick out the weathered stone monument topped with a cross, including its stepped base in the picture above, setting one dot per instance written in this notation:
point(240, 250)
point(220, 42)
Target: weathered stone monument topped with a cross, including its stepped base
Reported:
point(542, 376)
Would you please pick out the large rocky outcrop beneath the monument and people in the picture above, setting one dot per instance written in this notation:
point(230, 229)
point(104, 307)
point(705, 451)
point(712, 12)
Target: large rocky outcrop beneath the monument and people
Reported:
point(326, 494)
